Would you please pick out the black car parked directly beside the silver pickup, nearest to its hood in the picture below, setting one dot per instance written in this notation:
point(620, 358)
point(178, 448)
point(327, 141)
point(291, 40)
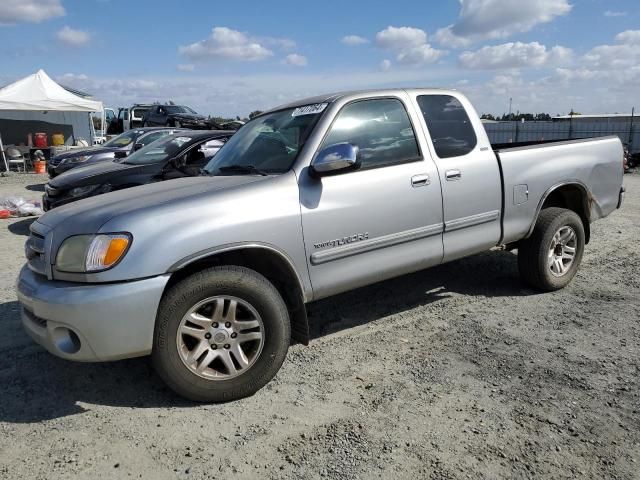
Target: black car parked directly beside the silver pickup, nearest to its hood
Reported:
point(173, 156)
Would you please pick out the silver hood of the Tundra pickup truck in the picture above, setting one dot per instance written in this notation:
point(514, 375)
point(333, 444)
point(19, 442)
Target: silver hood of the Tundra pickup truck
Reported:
point(88, 215)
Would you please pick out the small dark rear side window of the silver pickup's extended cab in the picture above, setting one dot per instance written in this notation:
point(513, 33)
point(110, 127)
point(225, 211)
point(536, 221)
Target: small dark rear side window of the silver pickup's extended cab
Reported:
point(449, 125)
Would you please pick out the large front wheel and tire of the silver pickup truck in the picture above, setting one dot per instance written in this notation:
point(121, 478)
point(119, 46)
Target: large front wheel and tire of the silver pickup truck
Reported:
point(199, 297)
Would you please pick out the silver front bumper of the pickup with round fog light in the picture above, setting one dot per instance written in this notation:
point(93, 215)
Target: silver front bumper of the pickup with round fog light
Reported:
point(90, 322)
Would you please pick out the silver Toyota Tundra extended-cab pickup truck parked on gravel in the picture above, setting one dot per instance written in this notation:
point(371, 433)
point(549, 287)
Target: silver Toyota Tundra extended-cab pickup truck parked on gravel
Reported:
point(210, 275)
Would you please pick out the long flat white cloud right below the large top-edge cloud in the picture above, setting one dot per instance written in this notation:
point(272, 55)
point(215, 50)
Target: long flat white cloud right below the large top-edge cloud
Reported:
point(514, 55)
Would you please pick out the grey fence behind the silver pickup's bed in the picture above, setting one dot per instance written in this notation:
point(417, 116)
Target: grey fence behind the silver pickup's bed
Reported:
point(508, 132)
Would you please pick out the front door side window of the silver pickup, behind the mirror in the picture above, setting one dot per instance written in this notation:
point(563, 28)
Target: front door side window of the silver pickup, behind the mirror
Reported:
point(381, 130)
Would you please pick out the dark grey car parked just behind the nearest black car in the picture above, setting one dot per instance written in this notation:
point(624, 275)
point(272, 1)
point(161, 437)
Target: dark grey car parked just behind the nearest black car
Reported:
point(118, 147)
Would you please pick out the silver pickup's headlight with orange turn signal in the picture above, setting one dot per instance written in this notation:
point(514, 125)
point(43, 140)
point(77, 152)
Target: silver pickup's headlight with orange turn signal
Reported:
point(92, 253)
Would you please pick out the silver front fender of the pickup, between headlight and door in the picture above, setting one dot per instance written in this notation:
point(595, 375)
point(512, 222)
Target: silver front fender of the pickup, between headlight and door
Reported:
point(265, 212)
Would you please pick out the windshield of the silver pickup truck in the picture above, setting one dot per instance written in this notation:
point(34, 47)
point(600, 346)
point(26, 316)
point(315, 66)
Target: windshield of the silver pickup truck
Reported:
point(269, 143)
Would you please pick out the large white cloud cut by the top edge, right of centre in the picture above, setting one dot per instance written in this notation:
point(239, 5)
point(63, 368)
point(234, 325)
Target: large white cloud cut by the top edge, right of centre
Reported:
point(491, 19)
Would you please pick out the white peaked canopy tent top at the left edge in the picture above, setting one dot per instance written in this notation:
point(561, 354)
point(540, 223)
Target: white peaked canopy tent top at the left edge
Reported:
point(38, 92)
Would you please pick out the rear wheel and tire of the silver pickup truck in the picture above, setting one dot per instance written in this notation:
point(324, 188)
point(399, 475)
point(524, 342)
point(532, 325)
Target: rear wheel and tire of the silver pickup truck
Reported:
point(540, 268)
